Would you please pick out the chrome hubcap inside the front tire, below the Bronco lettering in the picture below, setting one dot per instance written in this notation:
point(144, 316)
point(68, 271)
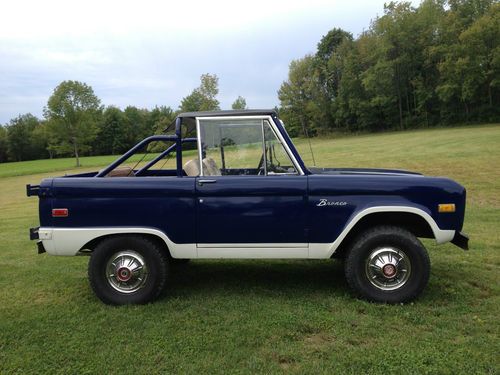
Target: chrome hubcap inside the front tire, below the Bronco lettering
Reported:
point(388, 268)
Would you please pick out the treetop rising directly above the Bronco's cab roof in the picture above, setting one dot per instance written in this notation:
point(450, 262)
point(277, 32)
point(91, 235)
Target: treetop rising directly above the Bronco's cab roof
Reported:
point(203, 98)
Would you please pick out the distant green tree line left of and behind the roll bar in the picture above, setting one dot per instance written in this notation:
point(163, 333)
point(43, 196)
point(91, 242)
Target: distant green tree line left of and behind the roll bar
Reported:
point(75, 123)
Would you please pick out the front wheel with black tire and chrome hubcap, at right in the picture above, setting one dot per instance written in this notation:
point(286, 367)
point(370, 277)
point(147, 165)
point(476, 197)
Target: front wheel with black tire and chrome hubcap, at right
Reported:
point(385, 246)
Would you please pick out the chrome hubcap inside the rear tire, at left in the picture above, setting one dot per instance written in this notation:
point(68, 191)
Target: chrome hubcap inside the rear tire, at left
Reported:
point(126, 271)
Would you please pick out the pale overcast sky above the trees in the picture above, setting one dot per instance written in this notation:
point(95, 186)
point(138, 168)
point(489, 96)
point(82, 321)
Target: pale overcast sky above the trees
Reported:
point(148, 53)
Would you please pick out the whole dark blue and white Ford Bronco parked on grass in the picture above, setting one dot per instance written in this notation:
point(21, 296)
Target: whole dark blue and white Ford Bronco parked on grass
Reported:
point(231, 184)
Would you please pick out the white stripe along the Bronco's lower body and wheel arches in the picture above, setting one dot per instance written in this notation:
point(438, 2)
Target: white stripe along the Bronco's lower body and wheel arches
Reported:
point(69, 241)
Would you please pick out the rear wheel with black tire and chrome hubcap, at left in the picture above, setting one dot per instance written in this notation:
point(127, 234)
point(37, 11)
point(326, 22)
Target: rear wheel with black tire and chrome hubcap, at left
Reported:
point(147, 270)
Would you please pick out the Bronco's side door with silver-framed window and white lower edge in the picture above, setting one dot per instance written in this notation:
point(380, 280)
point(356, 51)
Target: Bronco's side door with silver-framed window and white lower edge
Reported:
point(251, 196)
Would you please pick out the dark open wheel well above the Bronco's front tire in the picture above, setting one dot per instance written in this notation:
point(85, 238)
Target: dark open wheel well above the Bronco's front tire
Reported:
point(413, 223)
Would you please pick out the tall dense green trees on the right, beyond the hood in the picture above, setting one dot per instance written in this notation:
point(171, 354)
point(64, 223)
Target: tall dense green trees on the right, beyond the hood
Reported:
point(437, 63)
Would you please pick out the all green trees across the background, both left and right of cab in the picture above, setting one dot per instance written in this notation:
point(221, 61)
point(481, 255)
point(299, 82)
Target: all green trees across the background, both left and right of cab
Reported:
point(437, 63)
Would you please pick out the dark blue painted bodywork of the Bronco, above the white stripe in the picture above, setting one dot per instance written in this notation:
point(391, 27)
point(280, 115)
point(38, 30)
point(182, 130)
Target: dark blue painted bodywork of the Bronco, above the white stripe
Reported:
point(242, 209)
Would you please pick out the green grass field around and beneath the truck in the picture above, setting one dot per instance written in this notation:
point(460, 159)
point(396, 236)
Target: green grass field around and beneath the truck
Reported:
point(265, 316)
